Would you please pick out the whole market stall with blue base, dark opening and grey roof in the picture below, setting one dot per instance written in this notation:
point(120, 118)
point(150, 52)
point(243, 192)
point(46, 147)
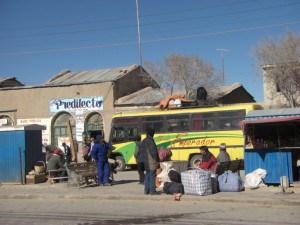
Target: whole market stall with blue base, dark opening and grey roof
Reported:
point(272, 142)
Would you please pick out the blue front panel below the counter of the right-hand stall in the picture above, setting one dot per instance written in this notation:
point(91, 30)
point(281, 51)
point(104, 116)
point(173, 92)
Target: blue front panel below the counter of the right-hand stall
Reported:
point(276, 163)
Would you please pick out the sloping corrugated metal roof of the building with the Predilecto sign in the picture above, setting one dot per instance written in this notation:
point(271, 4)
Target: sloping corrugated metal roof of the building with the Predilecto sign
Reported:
point(66, 77)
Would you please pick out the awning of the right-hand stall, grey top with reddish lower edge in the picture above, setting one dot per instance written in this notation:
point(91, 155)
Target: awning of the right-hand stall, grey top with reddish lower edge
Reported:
point(271, 116)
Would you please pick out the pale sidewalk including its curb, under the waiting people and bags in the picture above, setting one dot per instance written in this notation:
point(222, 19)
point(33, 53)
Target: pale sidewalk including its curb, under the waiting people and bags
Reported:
point(127, 188)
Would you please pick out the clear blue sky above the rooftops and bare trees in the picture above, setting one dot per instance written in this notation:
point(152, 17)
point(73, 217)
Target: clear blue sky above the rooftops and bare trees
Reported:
point(39, 38)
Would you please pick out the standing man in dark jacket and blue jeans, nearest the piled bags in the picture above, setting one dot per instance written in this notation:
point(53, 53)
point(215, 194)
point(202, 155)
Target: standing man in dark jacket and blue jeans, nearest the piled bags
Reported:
point(151, 162)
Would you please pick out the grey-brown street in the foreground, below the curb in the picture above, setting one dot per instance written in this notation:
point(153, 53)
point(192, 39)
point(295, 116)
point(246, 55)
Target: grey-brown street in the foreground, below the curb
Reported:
point(98, 212)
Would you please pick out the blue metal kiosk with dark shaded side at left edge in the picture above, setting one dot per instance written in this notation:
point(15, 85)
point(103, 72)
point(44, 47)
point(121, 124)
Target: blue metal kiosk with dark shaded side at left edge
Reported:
point(19, 151)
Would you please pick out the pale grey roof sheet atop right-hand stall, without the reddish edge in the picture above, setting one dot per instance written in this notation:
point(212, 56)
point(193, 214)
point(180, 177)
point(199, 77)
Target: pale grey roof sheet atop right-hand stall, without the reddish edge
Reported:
point(270, 113)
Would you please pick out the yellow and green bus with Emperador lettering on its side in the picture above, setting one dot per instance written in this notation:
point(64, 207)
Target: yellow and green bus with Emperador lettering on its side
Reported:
point(182, 130)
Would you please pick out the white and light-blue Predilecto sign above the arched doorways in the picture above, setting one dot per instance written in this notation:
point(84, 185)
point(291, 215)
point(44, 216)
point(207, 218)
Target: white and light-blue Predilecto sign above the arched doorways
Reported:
point(74, 104)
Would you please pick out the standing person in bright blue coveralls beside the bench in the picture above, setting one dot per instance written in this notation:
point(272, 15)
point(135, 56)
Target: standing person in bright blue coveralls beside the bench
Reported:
point(99, 153)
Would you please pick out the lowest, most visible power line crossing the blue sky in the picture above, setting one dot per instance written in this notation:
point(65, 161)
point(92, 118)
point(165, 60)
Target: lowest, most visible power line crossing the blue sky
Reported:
point(152, 41)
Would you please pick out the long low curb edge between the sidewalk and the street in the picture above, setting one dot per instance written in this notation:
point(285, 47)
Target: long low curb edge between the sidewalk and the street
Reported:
point(190, 198)
